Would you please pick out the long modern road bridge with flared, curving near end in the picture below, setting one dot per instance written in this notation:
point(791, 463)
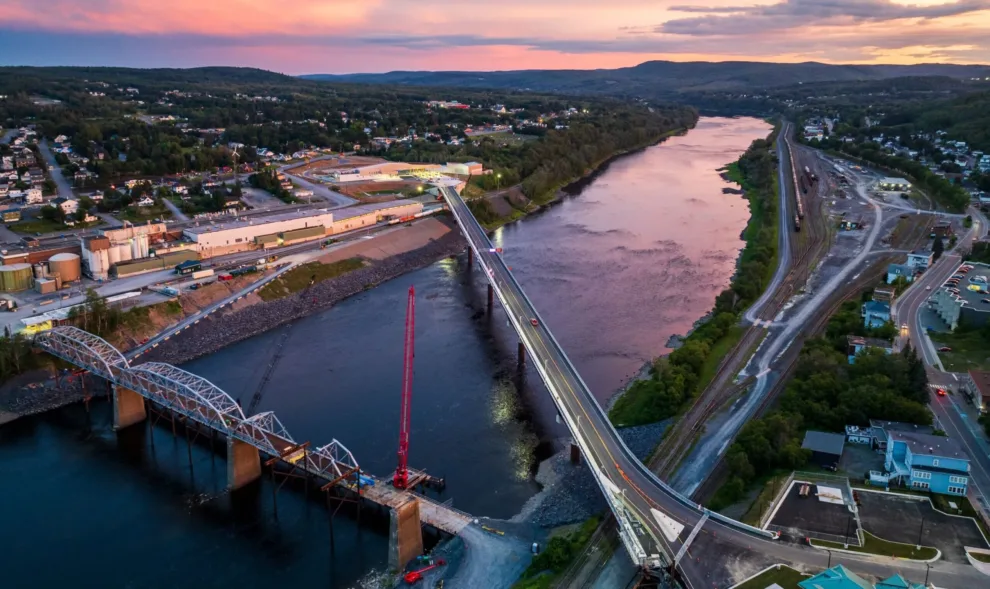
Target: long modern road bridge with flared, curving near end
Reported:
point(656, 523)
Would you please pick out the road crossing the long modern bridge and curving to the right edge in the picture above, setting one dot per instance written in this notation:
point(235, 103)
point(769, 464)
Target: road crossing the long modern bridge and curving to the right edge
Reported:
point(626, 482)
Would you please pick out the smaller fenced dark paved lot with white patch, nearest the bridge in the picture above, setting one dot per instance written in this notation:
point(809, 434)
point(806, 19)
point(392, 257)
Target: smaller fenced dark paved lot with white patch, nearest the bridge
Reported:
point(808, 516)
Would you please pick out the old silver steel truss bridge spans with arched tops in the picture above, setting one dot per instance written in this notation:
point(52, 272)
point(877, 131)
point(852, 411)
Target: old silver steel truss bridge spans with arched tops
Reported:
point(198, 400)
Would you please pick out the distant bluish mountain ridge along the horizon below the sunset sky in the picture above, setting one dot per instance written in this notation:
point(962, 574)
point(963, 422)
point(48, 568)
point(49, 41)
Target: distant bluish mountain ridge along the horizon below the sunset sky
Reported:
point(662, 77)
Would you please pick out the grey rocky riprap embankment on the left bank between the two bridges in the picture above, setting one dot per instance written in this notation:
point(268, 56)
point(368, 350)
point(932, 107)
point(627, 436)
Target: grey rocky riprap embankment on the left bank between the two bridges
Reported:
point(221, 330)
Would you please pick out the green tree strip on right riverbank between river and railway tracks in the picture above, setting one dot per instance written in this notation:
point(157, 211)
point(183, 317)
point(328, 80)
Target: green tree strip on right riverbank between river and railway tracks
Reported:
point(676, 378)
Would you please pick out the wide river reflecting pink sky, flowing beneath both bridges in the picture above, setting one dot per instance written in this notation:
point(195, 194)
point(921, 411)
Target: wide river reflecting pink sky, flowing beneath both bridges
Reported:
point(637, 253)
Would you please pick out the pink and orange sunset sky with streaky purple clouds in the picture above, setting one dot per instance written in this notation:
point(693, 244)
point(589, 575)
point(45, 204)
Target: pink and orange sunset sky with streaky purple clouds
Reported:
point(343, 36)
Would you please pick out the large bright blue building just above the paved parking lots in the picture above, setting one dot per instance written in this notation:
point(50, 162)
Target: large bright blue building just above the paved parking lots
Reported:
point(926, 462)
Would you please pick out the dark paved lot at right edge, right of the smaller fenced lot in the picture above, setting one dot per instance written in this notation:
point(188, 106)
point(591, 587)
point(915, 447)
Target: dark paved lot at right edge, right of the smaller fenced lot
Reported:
point(899, 519)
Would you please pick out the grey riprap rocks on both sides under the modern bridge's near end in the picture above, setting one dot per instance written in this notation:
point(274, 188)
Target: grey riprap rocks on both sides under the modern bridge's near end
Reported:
point(570, 493)
